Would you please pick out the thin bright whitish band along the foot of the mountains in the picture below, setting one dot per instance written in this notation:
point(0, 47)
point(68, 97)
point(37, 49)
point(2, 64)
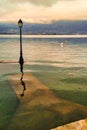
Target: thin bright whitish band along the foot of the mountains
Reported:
point(43, 36)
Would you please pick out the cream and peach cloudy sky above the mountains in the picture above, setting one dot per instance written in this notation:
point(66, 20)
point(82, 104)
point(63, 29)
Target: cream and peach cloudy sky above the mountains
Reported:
point(42, 11)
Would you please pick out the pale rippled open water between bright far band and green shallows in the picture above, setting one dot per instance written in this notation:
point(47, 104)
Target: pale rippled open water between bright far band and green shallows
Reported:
point(55, 51)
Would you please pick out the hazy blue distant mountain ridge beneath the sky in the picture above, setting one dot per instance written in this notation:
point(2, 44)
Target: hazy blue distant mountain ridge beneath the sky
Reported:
point(55, 28)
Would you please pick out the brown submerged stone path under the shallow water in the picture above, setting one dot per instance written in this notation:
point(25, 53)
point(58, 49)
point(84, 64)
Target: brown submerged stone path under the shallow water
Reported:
point(39, 108)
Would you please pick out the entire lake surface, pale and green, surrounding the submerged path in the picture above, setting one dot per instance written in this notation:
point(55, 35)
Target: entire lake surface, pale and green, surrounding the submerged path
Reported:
point(43, 54)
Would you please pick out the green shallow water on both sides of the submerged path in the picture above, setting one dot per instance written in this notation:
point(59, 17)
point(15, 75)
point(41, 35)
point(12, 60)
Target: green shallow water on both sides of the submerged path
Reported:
point(68, 83)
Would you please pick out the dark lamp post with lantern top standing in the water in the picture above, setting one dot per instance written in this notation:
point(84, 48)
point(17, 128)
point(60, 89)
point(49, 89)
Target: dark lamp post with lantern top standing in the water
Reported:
point(21, 60)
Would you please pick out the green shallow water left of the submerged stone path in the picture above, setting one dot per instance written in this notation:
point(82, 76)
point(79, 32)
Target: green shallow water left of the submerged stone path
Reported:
point(8, 99)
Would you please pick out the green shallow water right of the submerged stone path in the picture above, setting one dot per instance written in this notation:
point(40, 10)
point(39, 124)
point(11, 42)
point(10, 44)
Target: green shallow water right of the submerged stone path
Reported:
point(67, 83)
